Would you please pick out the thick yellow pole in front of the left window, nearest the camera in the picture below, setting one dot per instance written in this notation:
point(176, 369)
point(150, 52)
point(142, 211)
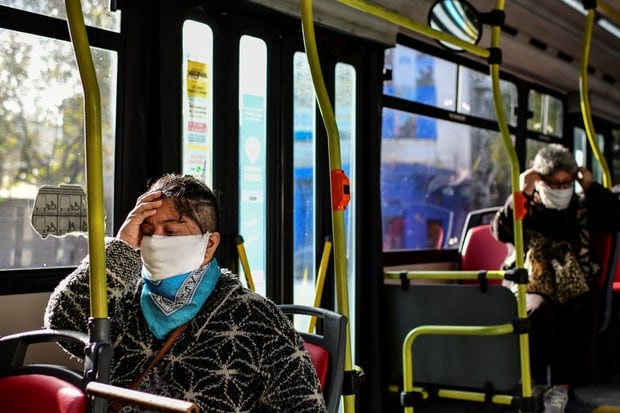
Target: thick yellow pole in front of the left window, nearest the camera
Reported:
point(94, 162)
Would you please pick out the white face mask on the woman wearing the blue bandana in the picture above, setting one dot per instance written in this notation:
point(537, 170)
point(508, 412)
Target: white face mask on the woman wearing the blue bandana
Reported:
point(165, 257)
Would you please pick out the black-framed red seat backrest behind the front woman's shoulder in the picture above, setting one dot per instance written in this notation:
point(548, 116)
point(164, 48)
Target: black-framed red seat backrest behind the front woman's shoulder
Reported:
point(327, 350)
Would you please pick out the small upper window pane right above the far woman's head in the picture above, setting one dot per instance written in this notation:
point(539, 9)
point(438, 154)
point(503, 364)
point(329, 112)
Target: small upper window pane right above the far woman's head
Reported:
point(547, 114)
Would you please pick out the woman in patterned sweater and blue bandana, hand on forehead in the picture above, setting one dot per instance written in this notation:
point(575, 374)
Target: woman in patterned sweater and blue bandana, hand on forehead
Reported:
point(232, 349)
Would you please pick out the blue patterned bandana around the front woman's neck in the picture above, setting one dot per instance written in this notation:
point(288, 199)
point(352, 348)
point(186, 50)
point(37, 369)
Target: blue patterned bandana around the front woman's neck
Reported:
point(169, 303)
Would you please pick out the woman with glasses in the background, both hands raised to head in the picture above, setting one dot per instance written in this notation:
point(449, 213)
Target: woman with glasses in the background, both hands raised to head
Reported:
point(562, 298)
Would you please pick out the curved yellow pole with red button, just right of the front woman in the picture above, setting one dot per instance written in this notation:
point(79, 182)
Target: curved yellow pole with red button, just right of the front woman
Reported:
point(333, 143)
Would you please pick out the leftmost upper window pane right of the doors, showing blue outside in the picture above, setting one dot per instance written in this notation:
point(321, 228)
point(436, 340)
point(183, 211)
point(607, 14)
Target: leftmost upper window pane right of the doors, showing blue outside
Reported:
point(420, 78)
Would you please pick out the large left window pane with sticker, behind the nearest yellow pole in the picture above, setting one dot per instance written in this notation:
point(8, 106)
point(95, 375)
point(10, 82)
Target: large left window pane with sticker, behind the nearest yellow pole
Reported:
point(42, 142)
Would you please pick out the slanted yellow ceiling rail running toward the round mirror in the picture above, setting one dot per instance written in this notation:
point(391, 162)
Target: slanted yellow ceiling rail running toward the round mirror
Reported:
point(400, 20)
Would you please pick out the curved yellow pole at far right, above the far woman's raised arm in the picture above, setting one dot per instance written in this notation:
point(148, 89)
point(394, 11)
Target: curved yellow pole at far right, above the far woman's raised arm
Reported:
point(585, 99)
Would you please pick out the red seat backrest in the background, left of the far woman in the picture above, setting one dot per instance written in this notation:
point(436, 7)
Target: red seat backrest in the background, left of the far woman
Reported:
point(481, 250)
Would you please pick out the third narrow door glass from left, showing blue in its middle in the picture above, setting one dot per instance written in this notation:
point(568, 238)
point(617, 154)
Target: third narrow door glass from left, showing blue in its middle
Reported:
point(304, 226)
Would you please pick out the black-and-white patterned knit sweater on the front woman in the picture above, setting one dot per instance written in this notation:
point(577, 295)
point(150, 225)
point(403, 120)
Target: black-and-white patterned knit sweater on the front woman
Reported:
point(239, 354)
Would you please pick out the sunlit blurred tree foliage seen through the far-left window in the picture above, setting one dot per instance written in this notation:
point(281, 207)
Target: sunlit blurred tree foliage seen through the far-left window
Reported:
point(41, 103)
